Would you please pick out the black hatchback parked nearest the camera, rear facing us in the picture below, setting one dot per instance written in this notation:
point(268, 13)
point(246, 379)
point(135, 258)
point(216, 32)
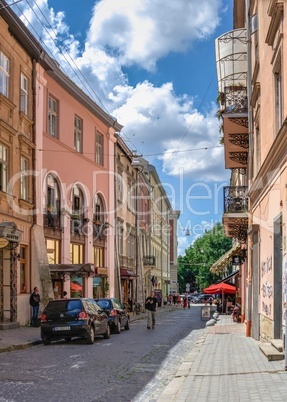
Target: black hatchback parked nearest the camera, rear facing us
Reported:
point(68, 318)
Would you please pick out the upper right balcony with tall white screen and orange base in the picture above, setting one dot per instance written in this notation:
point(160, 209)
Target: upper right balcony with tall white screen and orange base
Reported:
point(231, 60)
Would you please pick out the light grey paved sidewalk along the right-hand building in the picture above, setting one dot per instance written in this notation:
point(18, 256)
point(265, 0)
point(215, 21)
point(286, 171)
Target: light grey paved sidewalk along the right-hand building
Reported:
point(227, 366)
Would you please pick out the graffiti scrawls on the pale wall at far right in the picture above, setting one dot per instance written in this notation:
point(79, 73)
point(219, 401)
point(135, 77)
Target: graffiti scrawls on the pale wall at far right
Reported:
point(267, 290)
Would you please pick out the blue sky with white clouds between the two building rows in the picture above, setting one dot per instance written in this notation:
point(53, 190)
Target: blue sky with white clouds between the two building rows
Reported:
point(151, 64)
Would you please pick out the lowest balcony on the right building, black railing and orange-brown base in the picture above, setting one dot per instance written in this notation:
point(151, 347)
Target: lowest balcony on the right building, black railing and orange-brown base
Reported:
point(235, 215)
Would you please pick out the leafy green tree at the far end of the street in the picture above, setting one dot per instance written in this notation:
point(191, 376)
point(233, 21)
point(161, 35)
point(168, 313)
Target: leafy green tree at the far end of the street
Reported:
point(194, 266)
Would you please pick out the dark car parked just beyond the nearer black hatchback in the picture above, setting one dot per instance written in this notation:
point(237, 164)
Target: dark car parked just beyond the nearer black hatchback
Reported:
point(117, 312)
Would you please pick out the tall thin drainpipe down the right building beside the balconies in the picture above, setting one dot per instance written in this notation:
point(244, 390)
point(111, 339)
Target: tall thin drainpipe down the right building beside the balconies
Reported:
point(250, 127)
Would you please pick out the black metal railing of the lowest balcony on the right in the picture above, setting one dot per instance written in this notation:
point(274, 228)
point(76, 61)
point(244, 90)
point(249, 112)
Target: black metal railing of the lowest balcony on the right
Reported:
point(235, 199)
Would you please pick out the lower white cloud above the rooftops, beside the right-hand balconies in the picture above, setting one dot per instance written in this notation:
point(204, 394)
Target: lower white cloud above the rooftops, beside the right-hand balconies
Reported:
point(172, 130)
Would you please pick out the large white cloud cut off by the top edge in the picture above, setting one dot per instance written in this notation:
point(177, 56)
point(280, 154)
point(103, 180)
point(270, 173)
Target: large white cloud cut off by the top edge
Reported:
point(140, 32)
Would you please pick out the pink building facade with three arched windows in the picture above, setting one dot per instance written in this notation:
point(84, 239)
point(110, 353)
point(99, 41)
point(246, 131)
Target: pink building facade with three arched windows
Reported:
point(74, 176)
